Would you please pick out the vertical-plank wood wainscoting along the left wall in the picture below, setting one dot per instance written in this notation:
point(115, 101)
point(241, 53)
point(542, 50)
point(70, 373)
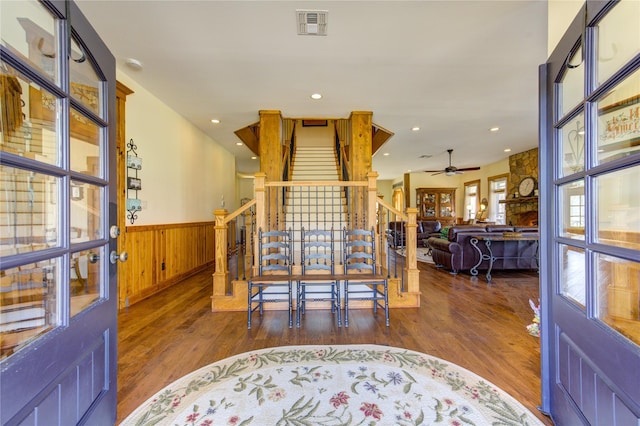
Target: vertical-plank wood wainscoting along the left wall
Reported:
point(162, 255)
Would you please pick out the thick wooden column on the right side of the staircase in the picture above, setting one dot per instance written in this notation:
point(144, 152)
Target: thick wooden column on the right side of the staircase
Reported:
point(360, 162)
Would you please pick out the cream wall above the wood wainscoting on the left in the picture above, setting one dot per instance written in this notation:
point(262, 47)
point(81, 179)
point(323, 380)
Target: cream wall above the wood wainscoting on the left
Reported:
point(185, 174)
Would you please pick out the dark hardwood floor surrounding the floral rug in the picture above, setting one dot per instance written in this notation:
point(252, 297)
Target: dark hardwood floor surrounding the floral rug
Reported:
point(466, 321)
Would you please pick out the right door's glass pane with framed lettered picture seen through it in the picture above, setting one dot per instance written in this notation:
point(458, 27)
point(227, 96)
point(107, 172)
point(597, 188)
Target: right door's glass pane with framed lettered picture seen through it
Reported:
point(619, 120)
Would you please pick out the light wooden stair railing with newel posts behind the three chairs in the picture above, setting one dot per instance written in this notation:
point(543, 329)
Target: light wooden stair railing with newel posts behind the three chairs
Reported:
point(267, 211)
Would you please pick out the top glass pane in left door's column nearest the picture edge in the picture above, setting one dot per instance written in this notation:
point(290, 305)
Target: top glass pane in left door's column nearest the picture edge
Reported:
point(27, 29)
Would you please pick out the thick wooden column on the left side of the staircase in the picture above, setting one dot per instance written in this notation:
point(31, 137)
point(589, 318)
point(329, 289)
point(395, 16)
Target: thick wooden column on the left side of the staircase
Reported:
point(271, 158)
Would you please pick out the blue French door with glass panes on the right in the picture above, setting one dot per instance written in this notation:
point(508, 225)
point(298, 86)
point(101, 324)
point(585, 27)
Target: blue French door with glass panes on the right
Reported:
point(590, 175)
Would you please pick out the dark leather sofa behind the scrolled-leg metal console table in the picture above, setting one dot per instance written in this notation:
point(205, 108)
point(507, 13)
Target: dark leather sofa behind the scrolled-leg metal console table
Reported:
point(457, 254)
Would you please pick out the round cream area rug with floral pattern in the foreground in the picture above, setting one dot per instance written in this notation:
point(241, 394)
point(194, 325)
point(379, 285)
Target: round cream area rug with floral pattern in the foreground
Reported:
point(331, 385)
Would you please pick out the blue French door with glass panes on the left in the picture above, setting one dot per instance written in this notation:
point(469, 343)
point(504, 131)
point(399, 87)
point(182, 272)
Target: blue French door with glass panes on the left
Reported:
point(57, 285)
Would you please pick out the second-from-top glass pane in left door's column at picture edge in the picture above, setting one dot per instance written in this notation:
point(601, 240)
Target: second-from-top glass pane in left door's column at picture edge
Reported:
point(29, 112)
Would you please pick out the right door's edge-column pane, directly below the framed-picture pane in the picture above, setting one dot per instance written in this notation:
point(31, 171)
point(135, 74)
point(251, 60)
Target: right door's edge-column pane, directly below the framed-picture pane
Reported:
point(618, 211)
